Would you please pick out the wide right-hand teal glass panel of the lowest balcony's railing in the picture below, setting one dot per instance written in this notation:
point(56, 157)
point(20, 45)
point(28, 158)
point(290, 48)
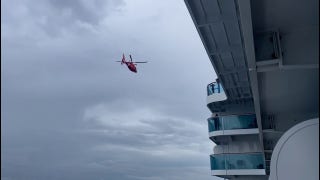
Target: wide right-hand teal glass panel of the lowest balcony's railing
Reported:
point(245, 161)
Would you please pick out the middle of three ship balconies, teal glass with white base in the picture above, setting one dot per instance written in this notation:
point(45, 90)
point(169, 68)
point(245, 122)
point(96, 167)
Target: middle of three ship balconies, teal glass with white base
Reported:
point(232, 125)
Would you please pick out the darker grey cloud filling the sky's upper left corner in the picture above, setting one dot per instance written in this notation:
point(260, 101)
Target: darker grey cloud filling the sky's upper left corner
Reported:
point(37, 20)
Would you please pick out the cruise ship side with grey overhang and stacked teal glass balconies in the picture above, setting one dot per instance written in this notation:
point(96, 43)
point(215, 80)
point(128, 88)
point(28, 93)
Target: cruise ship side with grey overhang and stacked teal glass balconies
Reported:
point(264, 121)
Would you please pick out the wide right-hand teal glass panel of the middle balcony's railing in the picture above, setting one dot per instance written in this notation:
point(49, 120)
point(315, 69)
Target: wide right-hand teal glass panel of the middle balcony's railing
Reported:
point(239, 122)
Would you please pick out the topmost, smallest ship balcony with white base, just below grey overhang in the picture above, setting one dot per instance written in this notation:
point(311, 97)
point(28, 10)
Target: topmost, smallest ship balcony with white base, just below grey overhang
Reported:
point(215, 93)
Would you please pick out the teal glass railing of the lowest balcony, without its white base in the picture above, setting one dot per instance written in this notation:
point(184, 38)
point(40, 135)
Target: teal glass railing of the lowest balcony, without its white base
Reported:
point(237, 161)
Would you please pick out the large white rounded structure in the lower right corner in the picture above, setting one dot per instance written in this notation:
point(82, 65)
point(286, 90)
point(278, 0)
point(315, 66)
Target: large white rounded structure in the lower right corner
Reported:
point(296, 155)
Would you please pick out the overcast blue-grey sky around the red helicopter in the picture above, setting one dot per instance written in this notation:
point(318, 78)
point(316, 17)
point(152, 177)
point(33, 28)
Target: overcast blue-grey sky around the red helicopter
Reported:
point(69, 111)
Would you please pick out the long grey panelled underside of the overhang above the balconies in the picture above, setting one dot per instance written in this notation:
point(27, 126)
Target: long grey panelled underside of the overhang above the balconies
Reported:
point(217, 22)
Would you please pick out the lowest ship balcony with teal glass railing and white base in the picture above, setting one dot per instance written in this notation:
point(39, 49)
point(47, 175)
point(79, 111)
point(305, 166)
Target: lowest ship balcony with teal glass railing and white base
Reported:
point(237, 164)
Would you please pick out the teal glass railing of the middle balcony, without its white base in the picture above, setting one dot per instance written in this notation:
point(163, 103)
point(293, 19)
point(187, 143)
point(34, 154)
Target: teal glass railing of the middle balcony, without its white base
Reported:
point(232, 122)
